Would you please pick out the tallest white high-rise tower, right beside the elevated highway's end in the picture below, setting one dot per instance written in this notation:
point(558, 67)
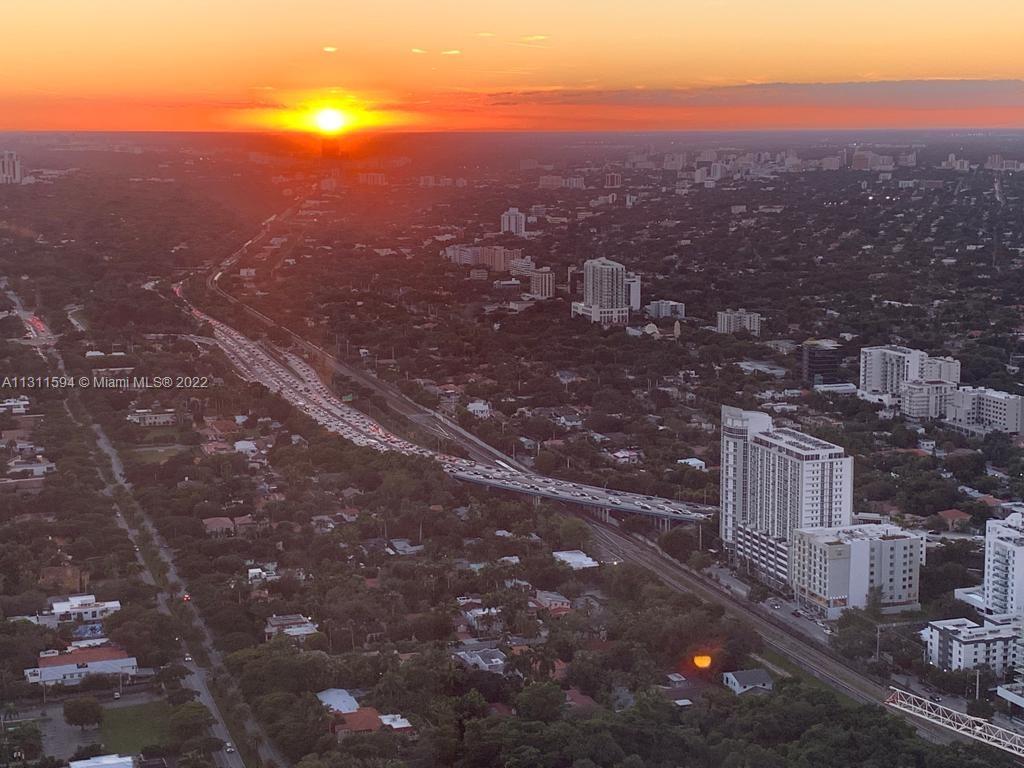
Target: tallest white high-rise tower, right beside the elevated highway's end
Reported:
point(775, 482)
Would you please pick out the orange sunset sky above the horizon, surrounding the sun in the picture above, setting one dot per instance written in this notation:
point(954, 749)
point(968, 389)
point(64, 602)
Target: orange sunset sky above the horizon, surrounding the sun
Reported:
point(519, 65)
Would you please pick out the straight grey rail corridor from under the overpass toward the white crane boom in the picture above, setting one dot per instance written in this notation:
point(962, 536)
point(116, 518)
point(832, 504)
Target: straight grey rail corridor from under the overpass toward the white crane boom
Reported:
point(802, 653)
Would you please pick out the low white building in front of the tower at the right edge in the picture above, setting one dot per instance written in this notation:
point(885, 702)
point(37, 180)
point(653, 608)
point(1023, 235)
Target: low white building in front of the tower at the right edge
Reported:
point(960, 645)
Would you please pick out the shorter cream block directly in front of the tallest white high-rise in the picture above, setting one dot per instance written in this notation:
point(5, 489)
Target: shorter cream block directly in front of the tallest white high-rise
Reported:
point(836, 569)
